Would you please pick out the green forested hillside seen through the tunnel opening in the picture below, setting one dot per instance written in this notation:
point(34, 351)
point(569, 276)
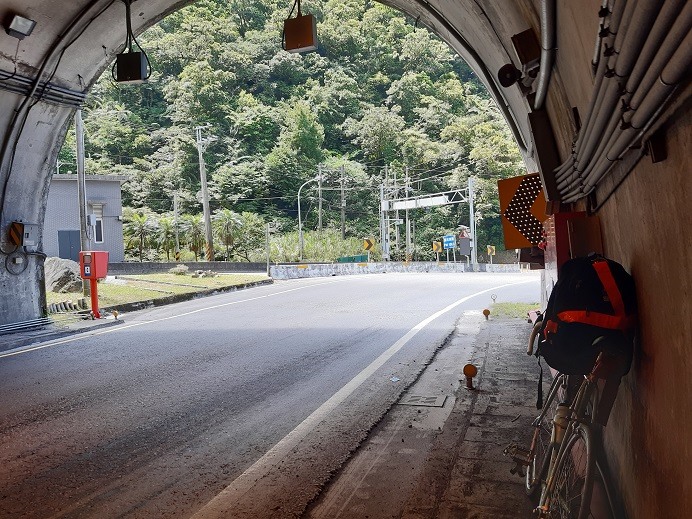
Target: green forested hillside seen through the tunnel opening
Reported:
point(382, 98)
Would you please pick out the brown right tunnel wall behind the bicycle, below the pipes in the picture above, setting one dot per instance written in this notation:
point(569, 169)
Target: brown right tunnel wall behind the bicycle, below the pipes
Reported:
point(646, 225)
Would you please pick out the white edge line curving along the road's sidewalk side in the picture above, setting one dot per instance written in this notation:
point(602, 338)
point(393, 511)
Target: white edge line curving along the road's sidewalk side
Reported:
point(219, 506)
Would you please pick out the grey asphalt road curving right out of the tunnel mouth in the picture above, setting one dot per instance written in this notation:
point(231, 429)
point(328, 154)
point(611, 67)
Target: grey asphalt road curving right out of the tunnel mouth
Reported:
point(189, 409)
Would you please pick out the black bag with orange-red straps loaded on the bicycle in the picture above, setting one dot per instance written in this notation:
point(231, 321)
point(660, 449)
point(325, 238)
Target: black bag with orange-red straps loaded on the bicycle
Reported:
point(594, 297)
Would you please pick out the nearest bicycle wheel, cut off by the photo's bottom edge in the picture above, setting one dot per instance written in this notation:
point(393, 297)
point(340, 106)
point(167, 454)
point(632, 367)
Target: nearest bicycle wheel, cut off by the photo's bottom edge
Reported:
point(573, 477)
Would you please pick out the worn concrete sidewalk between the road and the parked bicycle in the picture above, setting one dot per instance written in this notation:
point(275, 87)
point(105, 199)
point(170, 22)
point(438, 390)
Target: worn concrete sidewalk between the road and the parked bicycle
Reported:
point(447, 462)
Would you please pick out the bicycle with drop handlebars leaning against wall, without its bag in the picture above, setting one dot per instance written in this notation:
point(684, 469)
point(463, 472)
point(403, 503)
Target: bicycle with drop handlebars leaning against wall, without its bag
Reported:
point(562, 461)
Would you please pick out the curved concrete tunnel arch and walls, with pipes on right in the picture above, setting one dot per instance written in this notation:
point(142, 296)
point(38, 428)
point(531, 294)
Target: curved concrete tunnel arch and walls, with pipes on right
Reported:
point(597, 96)
